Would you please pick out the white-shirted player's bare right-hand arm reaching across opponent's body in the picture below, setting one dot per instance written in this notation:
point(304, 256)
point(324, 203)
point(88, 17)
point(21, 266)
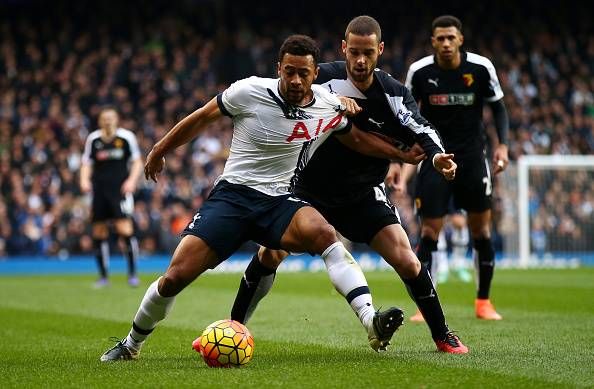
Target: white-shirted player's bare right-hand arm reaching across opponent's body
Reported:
point(374, 146)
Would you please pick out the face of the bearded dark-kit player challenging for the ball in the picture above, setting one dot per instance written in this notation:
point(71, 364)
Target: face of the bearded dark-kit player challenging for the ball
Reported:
point(361, 53)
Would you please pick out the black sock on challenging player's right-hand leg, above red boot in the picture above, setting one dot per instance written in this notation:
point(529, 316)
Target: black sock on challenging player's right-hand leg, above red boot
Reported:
point(423, 293)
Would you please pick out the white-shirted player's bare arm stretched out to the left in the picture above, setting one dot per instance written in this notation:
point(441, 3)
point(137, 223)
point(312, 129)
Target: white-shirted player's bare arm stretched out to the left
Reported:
point(183, 132)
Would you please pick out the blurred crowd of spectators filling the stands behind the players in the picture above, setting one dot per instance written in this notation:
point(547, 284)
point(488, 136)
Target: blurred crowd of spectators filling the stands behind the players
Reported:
point(61, 62)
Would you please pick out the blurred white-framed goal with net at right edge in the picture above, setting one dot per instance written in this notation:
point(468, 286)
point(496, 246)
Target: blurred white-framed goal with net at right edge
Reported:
point(555, 210)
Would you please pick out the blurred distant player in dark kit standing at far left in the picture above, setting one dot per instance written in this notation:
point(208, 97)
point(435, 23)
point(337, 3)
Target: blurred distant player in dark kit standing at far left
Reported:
point(111, 166)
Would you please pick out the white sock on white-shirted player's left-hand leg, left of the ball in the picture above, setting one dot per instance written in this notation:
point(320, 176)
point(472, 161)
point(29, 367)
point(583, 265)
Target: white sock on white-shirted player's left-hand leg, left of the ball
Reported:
point(152, 310)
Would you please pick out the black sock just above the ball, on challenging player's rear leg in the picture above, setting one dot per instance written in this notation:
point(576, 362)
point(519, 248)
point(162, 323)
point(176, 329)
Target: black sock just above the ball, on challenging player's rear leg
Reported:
point(255, 284)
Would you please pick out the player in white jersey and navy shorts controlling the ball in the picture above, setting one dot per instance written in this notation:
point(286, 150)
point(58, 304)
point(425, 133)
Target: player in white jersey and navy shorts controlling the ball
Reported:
point(278, 124)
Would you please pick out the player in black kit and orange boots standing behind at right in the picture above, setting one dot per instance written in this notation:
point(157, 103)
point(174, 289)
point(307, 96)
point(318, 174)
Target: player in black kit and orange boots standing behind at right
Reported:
point(452, 85)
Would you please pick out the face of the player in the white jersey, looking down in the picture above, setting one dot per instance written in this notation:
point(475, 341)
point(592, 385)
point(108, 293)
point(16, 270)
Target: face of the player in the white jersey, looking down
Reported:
point(297, 73)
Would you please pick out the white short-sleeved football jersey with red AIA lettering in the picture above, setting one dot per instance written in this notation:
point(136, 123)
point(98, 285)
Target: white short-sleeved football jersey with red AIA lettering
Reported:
point(271, 137)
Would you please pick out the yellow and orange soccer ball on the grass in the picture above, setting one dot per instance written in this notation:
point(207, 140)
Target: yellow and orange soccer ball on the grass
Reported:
point(225, 343)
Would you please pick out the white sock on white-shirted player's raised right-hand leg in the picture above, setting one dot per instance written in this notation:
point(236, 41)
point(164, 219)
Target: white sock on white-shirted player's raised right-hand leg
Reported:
point(347, 277)
